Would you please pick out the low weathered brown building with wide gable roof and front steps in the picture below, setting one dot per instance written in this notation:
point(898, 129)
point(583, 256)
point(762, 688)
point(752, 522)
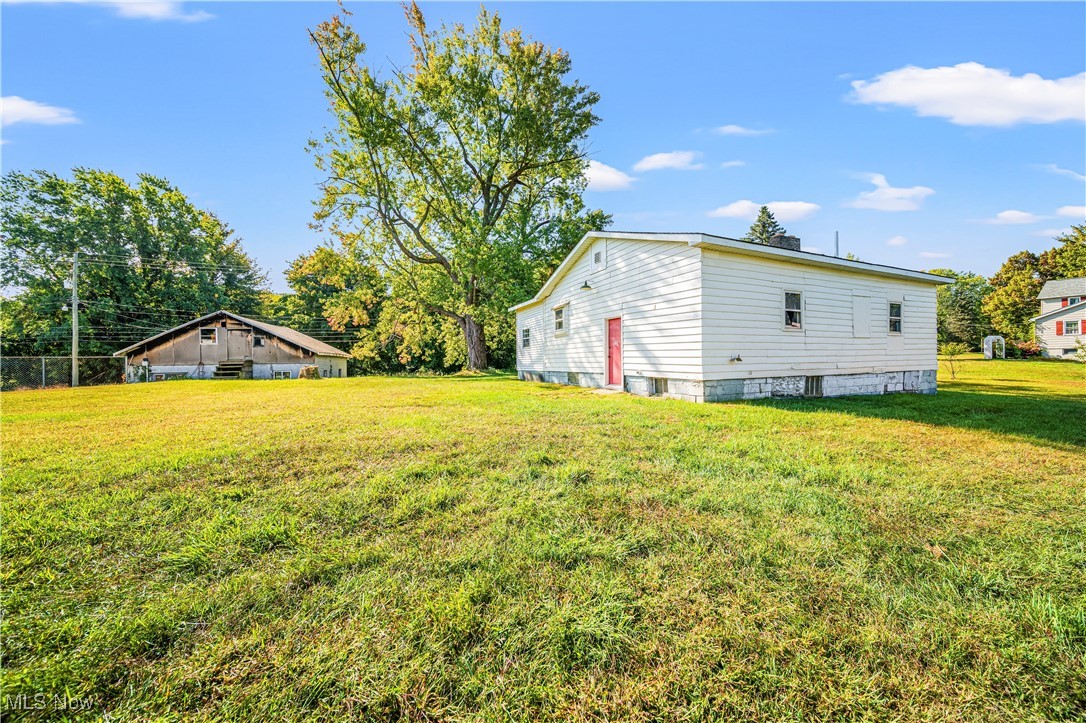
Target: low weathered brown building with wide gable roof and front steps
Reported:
point(224, 346)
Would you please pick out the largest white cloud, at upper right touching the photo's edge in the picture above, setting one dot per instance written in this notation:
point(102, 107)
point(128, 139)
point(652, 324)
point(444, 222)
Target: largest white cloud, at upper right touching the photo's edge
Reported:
point(975, 95)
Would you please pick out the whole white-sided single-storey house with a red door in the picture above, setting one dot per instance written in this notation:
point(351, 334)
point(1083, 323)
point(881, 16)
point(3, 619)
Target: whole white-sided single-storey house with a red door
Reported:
point(708, 319)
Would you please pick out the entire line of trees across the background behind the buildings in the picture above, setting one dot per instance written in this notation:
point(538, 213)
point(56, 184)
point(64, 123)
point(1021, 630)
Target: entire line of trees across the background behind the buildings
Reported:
point(453, 188)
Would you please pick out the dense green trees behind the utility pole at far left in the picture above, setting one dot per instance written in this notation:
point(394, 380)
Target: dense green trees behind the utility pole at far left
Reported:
point(149, 259)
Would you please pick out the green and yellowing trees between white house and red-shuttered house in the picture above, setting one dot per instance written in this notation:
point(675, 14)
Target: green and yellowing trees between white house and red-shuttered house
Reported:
point(976, 307)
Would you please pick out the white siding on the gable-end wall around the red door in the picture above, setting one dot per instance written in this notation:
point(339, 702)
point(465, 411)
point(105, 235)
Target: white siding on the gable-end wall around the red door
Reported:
point(653, 286)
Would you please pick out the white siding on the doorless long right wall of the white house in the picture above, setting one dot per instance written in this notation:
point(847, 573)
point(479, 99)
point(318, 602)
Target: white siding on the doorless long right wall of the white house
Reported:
point(845, 321)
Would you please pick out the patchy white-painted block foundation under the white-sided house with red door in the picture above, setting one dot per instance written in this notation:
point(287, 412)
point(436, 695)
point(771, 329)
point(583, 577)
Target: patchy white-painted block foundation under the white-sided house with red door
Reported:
point(921, 382)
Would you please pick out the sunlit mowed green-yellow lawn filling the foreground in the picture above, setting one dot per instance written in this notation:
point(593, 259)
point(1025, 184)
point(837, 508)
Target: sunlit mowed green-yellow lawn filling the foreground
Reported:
point(482, 549)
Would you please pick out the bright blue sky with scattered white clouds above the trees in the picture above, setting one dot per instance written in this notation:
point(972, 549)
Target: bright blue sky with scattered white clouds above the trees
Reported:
point(929, 135)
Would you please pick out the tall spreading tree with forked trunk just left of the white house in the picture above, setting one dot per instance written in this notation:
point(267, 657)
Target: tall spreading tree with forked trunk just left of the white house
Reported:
point(453, 173)
